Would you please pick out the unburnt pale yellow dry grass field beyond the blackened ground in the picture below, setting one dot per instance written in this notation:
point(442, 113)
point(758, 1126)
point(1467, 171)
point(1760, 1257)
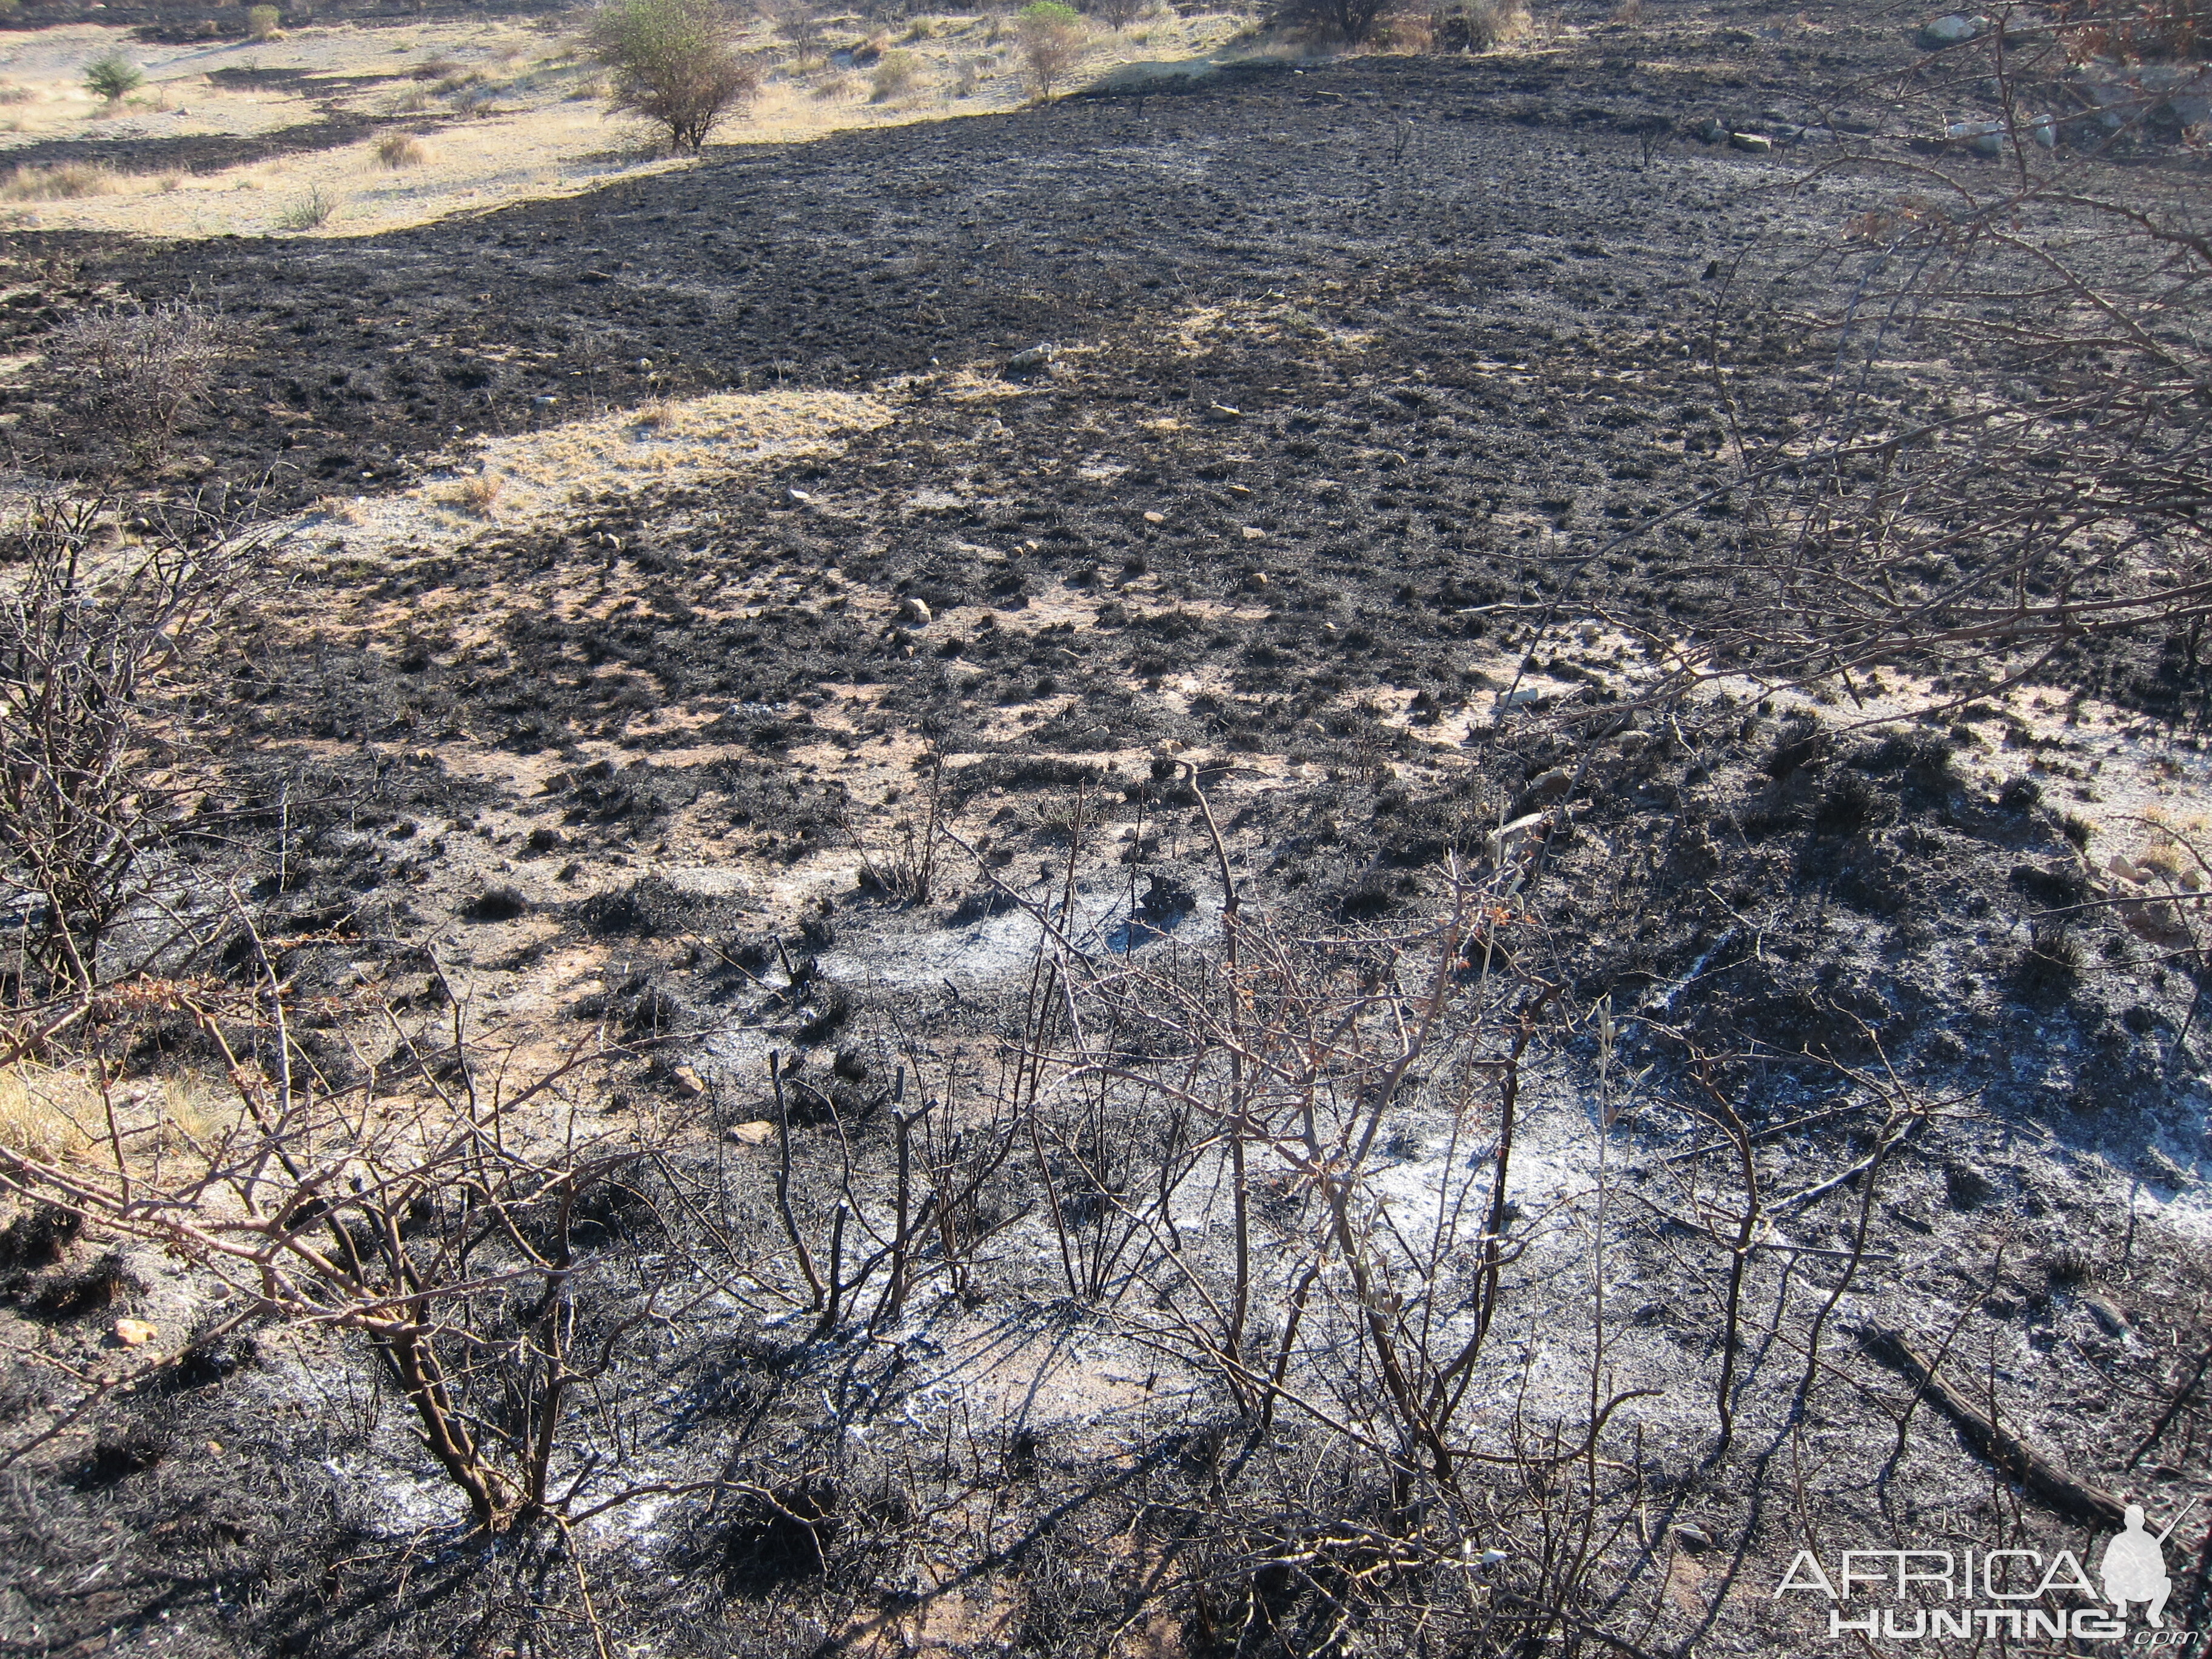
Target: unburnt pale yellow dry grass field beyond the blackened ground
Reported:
point(510, 101)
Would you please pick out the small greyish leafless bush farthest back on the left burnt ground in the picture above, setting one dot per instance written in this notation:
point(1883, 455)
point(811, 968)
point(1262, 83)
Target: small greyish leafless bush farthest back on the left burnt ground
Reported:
point(140, 368)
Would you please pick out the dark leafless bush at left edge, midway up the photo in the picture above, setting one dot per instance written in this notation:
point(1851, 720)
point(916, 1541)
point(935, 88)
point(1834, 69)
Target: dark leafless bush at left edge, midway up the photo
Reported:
point(98, 647)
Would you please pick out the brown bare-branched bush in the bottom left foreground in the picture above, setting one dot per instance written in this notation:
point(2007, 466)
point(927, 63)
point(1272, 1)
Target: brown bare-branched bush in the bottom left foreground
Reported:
point(455, 1229)
